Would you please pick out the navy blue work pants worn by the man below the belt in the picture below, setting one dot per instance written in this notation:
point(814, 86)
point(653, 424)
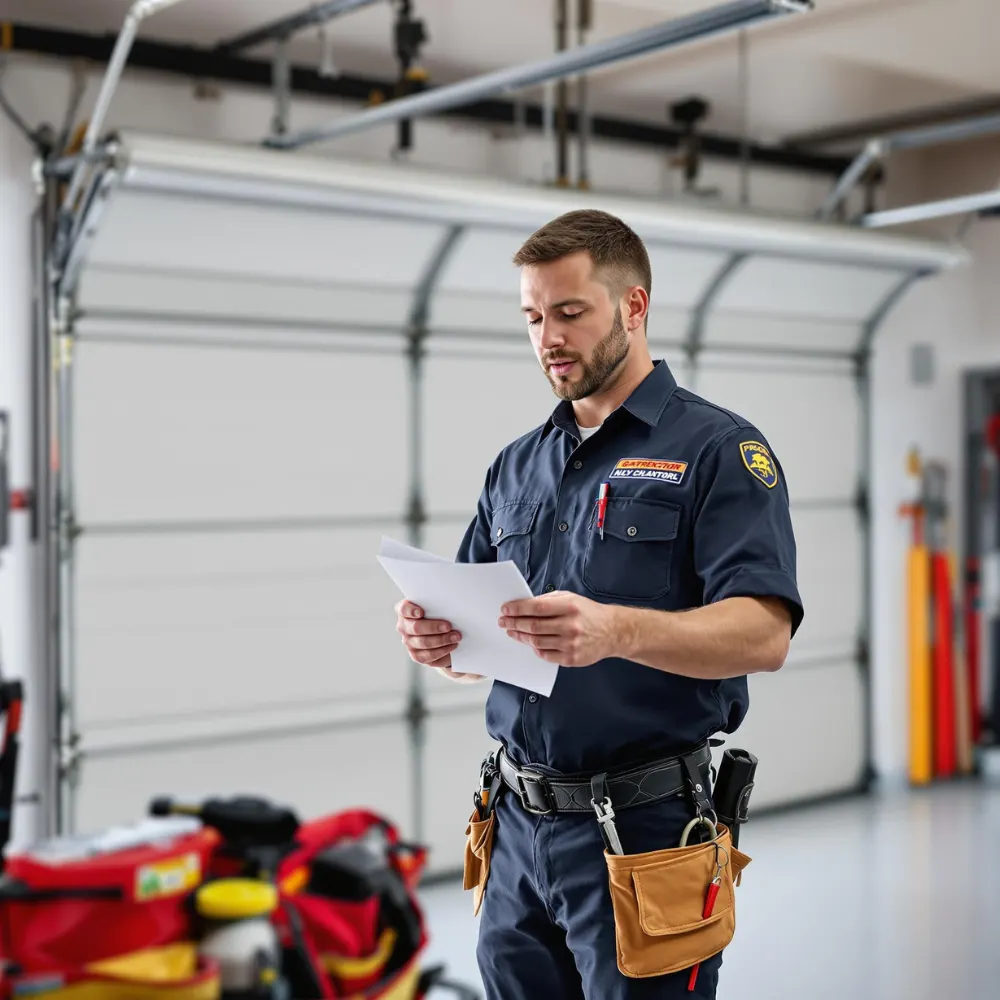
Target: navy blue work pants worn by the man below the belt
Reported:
point(547, 929)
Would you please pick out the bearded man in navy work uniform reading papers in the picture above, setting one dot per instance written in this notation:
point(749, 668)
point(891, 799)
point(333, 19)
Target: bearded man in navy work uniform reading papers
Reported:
point(656, 604)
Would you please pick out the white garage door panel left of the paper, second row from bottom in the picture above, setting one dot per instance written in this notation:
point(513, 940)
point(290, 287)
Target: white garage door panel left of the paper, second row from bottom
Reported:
point(175, 624)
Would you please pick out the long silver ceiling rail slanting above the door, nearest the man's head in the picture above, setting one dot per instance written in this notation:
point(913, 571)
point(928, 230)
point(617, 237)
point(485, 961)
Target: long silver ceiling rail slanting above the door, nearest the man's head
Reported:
point(716, 21)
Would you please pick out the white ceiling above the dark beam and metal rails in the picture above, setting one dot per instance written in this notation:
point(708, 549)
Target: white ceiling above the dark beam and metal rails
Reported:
point(846, 60)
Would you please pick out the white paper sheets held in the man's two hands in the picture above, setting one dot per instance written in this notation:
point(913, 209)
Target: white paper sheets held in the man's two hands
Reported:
point(470, 595)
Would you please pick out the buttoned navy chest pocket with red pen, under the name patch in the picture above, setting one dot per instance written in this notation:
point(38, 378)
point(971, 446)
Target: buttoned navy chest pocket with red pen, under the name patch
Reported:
point(634, 559)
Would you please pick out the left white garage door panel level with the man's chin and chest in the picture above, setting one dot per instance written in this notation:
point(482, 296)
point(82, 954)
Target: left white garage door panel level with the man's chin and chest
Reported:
point(168, 433)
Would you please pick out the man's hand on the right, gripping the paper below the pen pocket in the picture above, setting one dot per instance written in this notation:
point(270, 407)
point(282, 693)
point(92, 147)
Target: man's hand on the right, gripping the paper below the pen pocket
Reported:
point(563, 627)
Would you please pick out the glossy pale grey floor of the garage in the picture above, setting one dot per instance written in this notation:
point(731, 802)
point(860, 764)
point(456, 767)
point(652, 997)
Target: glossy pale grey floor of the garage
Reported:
point(893, 896)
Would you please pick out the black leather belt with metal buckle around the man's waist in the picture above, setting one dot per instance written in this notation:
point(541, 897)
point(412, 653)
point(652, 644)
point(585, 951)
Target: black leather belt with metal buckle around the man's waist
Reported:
point(545, 795)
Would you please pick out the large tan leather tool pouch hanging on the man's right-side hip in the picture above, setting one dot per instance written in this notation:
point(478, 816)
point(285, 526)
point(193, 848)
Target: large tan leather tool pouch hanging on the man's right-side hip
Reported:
point(659, 899)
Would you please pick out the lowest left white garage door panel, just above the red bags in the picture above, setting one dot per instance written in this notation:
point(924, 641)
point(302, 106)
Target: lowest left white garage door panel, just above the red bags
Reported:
point(315, 773)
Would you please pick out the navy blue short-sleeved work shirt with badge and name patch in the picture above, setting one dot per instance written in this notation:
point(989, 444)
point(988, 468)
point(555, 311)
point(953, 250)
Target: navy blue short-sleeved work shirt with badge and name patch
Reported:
point(697, 512)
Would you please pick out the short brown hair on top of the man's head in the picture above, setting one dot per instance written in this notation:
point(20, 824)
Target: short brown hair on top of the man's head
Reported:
point(615, 249)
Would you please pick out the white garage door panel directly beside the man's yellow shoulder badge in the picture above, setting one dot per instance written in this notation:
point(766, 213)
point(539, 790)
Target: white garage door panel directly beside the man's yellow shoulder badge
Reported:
point(809, 417)
